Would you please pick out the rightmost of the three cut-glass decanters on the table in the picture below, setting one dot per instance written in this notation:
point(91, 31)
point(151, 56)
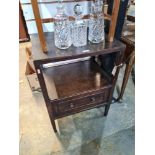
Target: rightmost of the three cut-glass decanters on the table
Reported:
point(96, 23)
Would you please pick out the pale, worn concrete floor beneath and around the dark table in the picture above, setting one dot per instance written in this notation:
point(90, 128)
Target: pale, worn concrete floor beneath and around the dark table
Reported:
point(85, 133)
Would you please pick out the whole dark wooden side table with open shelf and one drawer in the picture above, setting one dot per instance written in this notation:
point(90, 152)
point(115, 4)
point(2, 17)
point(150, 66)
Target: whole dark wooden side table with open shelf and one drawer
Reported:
point(78, 86)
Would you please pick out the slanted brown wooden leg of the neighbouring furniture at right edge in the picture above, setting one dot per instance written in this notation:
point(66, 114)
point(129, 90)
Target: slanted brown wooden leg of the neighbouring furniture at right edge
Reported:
point(126, 77)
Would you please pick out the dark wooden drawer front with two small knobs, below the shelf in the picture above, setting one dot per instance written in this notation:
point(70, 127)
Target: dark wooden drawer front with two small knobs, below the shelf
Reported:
point(63, 107)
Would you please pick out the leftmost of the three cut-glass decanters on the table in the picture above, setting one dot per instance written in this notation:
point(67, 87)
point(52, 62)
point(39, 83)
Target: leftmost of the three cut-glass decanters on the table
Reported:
point(62, 32)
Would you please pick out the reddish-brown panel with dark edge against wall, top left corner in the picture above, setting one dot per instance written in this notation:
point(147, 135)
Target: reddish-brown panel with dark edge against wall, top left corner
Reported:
point(23, 32)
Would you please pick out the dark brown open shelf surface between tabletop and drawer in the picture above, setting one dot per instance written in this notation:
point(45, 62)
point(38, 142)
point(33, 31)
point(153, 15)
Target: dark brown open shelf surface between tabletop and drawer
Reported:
point(74, 79)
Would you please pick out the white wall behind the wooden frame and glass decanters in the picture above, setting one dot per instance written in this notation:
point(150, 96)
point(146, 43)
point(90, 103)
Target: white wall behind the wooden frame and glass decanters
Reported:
point(48, 11)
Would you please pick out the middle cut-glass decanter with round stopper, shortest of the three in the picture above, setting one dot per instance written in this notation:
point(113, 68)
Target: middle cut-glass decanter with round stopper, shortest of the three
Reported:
point(79, 31)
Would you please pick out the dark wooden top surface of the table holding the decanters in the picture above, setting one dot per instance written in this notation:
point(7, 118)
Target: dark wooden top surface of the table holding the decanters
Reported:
point(54, 54)
